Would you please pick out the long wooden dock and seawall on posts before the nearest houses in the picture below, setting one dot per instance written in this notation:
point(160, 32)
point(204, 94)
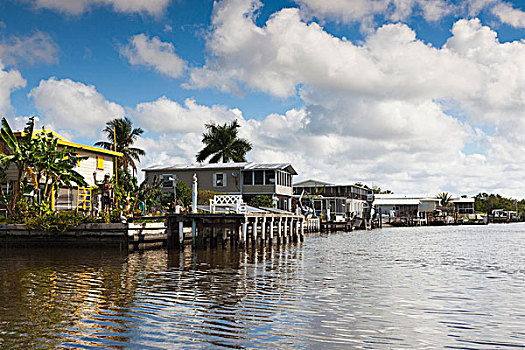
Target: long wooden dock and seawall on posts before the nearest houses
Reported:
point(177, 230)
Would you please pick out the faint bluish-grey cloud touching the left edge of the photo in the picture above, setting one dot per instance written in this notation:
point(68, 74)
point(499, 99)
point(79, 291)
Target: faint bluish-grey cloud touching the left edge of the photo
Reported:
point(36, 48)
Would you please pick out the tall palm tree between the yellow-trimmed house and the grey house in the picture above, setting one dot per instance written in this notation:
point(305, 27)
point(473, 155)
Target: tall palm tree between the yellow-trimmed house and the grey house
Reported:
point(122, 130)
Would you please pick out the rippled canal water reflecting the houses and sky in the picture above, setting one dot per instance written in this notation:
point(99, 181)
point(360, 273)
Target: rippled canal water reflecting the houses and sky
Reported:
point(432, 287)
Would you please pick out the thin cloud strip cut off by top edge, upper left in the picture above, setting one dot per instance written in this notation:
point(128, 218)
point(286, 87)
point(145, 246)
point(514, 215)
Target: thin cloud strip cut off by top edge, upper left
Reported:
point(77, 7)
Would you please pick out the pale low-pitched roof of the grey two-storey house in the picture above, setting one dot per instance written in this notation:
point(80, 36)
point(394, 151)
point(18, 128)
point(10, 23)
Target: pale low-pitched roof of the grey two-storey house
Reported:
point(239, 165)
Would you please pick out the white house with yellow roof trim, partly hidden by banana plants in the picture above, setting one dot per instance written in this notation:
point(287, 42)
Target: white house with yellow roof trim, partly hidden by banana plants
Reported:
point(100, 162)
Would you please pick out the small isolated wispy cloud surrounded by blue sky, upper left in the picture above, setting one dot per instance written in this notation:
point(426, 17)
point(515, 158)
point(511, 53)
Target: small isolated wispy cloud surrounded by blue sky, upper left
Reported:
point(153, 53)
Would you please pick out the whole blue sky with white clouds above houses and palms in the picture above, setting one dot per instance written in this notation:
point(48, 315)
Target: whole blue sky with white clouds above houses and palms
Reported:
point(415, 96)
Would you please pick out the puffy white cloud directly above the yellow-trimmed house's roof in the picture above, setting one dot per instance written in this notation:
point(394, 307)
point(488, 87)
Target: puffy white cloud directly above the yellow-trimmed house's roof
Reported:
point(73, 106)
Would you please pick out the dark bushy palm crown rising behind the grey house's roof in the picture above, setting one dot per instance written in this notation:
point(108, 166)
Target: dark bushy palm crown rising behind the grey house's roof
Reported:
point(221, 142)
